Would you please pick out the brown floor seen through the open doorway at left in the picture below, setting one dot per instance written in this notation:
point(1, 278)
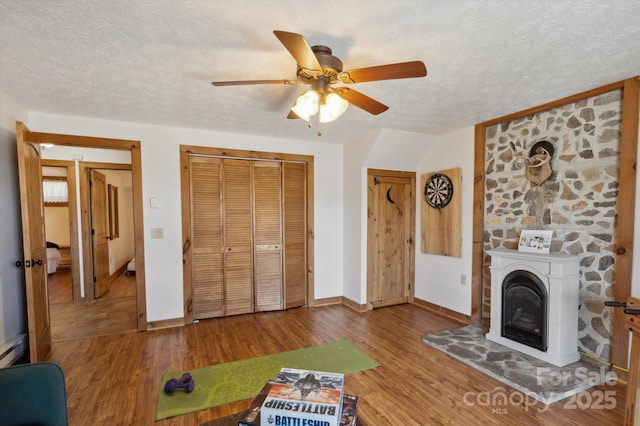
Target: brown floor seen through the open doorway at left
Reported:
point(113, 313)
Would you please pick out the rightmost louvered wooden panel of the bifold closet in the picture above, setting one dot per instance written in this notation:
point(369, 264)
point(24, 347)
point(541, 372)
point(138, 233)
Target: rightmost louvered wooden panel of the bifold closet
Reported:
point(295, 234)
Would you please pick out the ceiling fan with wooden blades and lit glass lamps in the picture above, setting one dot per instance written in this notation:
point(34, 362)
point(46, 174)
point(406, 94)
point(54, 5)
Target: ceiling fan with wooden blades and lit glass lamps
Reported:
point(318, 68)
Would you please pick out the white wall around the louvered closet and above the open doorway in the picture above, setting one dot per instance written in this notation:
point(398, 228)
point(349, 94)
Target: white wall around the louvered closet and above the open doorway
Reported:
point(161, 179)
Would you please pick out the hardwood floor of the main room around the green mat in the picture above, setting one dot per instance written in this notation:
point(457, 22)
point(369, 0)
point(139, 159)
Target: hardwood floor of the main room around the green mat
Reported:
point(115, 380)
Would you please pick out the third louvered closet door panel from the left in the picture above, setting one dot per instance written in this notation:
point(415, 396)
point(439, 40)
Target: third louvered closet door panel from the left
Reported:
point(267, 236)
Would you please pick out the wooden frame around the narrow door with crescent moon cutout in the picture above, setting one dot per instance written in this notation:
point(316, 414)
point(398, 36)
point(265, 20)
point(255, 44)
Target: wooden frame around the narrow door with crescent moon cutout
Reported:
point(372, 240)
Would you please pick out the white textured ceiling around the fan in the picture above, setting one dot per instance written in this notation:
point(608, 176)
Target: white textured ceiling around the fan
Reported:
point(153, 61)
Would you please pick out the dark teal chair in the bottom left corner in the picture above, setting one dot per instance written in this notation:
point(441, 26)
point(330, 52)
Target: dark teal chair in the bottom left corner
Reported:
point(33, 394)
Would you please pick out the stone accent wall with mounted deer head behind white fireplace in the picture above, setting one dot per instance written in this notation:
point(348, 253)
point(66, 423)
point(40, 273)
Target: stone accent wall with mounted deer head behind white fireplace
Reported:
point(577, 200)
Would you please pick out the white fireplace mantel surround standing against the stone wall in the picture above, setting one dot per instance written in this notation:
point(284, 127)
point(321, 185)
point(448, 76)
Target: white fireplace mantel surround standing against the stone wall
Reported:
point(534, 304)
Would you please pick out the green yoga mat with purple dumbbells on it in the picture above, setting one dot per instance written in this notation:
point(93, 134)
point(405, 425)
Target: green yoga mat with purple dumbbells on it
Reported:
point(234, 381)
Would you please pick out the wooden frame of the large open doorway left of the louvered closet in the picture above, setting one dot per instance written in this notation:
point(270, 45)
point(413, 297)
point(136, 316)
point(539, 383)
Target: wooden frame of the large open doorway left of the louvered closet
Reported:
point(134, 147)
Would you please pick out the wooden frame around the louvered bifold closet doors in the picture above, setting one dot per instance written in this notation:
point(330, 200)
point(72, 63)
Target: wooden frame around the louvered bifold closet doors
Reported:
point(185, 151)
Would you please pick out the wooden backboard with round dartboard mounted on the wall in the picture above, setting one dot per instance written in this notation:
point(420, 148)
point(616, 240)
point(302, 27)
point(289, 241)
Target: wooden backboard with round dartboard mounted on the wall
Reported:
point(441, 212)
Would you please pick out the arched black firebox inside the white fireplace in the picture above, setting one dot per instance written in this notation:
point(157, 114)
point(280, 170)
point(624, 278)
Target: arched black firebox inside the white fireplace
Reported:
point(524, 309)
